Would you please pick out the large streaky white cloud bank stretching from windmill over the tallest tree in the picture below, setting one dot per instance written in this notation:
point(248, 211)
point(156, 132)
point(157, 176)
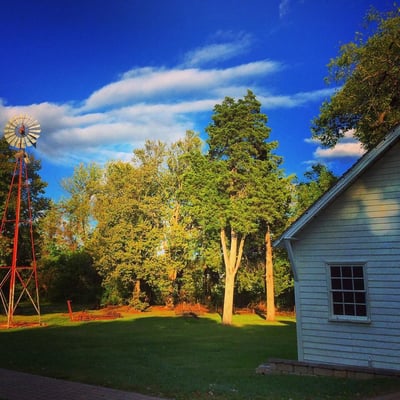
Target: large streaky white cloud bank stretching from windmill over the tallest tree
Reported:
point(156, 103)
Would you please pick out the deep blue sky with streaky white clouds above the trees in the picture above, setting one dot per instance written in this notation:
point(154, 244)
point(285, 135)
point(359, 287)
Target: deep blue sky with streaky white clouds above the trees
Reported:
point(101, 77)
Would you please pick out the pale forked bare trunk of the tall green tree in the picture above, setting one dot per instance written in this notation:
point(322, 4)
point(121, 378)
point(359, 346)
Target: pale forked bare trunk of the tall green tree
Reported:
point(232, 259)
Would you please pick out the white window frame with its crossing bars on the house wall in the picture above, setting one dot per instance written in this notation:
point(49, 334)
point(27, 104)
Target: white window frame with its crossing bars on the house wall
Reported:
point(344, 317)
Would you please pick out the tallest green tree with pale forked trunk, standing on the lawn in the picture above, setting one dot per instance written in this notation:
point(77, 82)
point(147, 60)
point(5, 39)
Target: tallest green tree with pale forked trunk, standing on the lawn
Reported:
point(238, 183)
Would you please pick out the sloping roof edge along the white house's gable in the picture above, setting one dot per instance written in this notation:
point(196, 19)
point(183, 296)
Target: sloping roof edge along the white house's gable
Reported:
point(340, 186)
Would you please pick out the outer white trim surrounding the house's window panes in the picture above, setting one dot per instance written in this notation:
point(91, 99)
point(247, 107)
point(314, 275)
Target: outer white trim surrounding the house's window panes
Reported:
point(347, 318)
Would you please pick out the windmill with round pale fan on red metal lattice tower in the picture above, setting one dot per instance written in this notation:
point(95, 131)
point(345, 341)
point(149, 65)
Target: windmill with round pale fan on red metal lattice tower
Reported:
point(18, 278)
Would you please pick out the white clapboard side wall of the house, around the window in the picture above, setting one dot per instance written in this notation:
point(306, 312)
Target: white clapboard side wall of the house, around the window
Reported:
point(361, 225)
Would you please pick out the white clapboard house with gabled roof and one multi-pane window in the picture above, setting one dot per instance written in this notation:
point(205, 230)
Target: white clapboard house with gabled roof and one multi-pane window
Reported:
point(345, 256)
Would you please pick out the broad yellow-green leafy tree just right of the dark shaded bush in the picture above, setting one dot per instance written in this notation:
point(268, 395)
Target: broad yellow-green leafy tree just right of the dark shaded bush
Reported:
point(128, 233)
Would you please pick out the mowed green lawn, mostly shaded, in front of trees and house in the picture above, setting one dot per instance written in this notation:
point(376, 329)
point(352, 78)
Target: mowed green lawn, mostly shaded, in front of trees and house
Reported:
point(175, 357)
